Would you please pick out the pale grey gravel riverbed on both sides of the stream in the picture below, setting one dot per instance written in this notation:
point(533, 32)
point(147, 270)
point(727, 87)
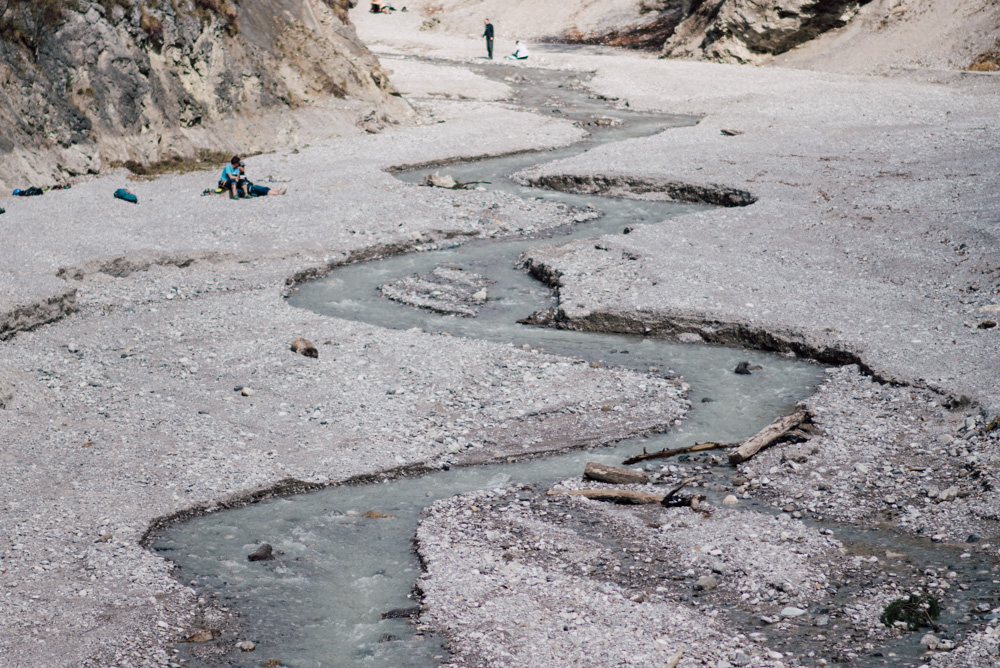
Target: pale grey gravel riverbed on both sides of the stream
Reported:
point(872, 242)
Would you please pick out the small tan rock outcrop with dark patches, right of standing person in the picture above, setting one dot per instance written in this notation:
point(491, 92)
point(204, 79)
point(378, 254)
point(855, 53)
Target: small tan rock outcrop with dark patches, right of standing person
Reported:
point(751, 31)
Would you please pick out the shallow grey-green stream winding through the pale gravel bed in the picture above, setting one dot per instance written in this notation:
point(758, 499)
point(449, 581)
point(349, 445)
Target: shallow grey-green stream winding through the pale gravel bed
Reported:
point(324, 600)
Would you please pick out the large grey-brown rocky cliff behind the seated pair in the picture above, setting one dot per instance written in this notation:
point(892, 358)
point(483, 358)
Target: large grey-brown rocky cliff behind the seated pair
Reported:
point(111, 81)
